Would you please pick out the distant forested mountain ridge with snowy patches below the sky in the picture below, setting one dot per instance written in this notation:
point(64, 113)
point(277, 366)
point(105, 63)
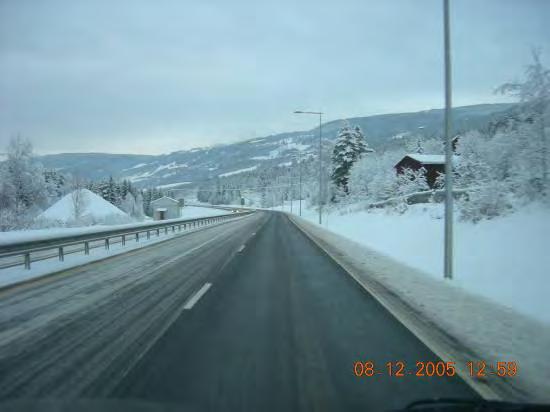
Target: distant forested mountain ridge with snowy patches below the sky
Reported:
point(190, 167)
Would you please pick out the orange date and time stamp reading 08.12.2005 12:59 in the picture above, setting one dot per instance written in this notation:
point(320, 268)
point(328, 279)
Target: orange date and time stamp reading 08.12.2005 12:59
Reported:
point(476, 369)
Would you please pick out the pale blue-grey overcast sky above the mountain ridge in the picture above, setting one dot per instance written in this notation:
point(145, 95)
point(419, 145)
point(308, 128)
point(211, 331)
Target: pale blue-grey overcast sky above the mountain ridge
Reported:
point(141, 76)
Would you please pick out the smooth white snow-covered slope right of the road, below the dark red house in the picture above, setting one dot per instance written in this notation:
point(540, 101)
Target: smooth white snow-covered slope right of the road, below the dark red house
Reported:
point(505, 259)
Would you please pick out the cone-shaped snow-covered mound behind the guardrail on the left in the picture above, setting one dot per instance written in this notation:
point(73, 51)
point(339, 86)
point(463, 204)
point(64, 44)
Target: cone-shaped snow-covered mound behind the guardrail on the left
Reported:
point(82, 208)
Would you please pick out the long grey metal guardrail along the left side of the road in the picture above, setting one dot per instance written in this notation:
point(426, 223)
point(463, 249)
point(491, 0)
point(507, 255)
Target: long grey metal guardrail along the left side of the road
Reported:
point(117, 235)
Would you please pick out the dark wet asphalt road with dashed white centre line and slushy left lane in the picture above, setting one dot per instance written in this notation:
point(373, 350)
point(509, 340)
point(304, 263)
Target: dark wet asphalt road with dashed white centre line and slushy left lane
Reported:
point(247, 315)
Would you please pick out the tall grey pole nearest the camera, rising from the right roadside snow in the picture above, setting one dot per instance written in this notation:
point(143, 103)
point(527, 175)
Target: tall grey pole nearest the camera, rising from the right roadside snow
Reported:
point(448, 259)
